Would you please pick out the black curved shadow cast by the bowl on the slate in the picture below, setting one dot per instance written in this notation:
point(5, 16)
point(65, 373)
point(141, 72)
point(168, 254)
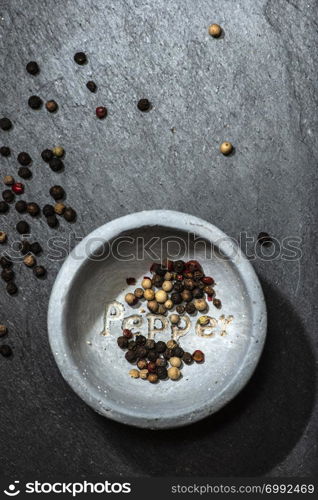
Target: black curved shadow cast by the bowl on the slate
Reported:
point(255, 431)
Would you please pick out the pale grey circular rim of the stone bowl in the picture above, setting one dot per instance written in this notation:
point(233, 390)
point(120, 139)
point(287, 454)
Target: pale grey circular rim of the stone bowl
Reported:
point(71, 267)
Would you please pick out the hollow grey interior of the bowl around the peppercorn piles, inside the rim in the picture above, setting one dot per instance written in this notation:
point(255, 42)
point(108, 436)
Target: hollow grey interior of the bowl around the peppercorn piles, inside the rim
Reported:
point(102, 366)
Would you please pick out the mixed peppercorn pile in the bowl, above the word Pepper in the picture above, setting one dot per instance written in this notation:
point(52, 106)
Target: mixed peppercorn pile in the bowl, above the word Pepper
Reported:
point(188, 286)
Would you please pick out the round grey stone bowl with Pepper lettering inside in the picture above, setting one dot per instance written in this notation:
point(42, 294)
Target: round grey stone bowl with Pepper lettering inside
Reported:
point(84, 323)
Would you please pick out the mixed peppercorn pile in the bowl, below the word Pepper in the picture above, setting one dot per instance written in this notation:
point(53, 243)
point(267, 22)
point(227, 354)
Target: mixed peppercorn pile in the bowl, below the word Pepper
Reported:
point(153, 358)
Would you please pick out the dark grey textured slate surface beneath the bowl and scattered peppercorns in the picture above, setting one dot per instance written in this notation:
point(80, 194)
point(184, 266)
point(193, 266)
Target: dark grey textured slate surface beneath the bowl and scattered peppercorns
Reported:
point(257, 87)
